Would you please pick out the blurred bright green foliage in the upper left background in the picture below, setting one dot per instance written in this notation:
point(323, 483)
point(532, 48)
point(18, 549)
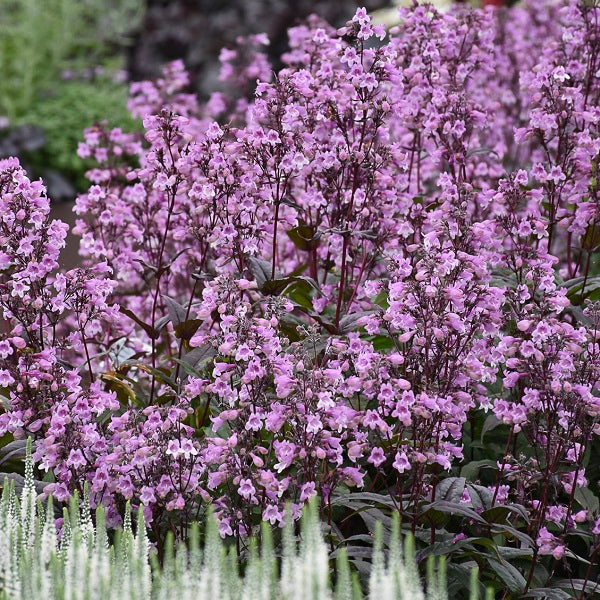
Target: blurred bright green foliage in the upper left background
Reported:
point(61, 69)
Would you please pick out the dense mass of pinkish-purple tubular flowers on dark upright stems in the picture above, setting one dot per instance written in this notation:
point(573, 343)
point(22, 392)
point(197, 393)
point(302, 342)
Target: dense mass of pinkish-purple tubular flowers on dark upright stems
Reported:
point(326, 286)
